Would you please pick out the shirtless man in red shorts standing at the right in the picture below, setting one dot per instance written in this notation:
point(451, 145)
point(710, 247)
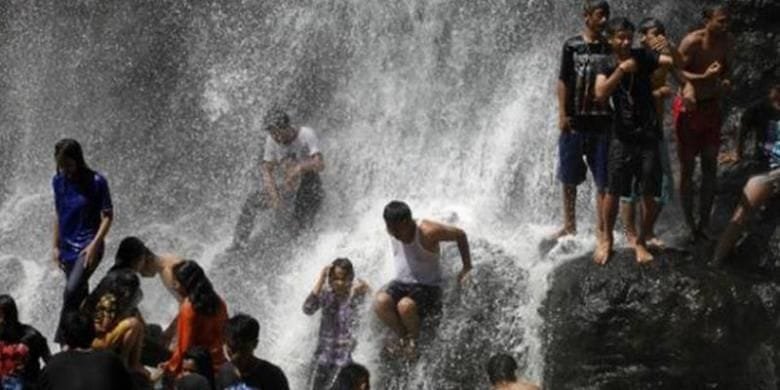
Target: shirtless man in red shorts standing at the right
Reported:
point(707, 55)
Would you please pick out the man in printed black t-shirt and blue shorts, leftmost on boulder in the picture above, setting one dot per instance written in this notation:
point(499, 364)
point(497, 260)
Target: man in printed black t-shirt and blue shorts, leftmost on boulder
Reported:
point(583, 122)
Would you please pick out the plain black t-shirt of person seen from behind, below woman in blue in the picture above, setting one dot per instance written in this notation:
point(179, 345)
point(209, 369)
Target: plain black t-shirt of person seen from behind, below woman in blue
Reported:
point(81, 370)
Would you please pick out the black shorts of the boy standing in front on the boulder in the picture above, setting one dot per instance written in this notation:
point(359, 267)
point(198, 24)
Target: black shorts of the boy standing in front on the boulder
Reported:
point(634, 168)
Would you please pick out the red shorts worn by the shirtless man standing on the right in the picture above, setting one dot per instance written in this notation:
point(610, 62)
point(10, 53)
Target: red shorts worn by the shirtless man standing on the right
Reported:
point(696, 129)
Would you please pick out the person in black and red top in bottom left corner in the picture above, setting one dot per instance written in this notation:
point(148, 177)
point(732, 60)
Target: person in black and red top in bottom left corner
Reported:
point(23, 341)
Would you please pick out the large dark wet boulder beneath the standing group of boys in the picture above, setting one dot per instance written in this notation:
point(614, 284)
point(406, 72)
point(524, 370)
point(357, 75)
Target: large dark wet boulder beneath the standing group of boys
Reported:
point(674, 324)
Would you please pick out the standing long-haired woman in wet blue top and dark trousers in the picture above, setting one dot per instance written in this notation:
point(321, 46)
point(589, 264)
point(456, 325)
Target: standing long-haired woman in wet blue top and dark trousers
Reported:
point(84, 215)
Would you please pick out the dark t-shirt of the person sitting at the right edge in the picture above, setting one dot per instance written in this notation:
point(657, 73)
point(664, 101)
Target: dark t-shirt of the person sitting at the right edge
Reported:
point(761, 119)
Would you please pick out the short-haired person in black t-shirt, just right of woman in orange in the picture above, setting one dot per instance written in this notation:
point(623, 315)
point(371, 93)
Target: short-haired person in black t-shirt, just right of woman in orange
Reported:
point(245, 371)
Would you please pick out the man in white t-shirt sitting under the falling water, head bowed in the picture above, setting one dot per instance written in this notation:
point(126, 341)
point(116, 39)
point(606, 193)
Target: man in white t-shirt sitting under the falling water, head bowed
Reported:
point(296, 153)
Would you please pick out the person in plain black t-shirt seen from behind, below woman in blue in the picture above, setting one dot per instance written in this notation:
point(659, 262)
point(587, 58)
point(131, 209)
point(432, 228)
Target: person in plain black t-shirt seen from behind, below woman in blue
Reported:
point(81, 368)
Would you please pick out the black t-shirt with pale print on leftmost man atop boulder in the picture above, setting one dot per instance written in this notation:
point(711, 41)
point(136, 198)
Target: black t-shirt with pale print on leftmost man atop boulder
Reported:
point(579, 64)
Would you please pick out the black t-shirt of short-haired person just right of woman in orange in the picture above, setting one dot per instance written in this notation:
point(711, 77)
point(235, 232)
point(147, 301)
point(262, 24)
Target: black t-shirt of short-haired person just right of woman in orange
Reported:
point(263, 376)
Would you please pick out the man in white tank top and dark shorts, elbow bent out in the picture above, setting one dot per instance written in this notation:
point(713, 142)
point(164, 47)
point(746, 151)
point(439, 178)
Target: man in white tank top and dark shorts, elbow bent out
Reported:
point(415, 293)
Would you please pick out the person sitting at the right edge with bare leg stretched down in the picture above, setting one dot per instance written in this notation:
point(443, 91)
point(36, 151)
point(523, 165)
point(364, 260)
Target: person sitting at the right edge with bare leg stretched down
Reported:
point(764, 120)
